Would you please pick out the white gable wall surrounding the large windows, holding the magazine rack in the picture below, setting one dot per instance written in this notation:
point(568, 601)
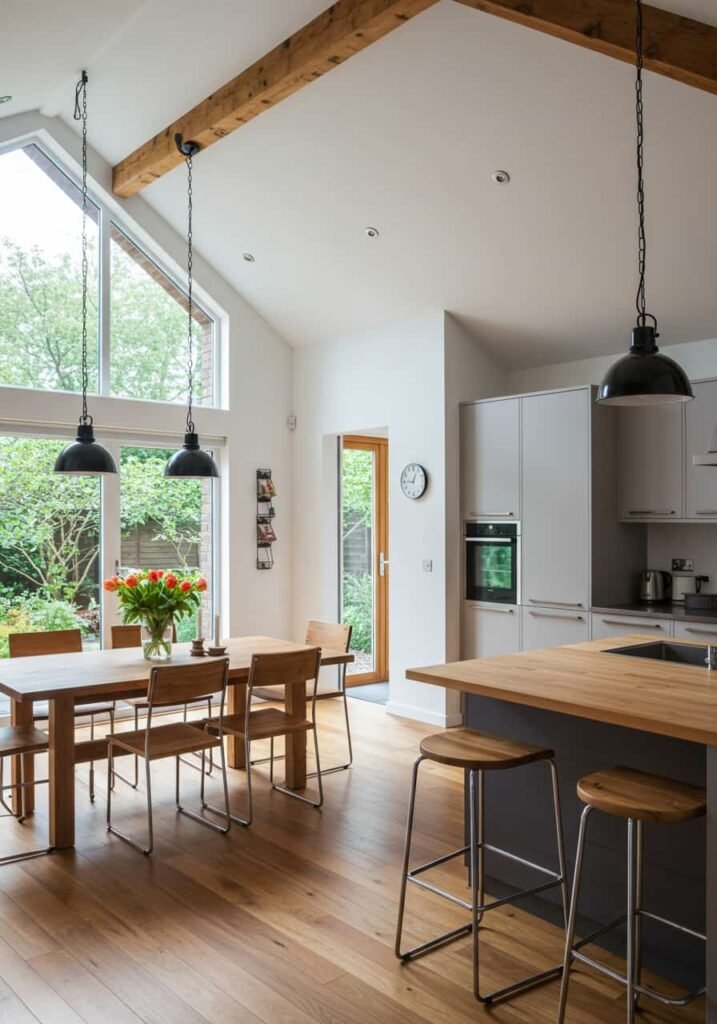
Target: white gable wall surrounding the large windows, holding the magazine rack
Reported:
point(257, 380)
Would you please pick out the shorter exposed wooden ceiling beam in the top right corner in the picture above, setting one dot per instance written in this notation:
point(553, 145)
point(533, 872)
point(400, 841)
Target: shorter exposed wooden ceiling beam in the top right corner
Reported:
point(678, 48)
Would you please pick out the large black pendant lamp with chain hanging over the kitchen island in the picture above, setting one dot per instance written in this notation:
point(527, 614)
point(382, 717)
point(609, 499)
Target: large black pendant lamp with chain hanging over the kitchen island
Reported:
point(645, 376)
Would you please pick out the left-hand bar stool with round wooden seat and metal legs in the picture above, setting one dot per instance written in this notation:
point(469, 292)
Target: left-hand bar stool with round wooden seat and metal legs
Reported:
point(478, 754)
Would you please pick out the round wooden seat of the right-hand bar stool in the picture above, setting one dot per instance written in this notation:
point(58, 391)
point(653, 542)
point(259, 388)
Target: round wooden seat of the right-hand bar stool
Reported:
point(629, 794)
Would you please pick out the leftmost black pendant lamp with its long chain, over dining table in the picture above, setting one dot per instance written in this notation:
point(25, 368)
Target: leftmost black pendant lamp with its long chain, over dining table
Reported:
point(85, 457)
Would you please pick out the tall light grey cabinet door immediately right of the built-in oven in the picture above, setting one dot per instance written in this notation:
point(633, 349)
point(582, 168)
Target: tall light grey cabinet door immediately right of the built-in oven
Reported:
point(557, 499)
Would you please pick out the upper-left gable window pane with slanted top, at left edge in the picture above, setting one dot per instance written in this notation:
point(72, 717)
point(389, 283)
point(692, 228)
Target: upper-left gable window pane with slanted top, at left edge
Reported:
point(40, 275)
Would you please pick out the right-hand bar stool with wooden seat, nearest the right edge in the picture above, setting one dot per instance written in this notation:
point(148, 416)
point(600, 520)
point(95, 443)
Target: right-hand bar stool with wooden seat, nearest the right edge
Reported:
point(638, 797)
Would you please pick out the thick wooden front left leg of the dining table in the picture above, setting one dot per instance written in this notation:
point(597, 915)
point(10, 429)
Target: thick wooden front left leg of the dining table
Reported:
point(62, 762)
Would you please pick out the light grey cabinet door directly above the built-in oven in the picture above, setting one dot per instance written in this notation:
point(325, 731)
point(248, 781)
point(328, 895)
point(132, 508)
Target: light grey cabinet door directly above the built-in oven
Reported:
point(491, 460)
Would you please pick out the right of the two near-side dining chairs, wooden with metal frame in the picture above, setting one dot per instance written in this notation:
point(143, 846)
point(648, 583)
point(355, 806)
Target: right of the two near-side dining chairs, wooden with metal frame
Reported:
point(269, 671)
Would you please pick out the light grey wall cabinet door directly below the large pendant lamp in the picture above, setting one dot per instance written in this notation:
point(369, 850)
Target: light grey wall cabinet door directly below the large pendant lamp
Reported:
point(652, 462)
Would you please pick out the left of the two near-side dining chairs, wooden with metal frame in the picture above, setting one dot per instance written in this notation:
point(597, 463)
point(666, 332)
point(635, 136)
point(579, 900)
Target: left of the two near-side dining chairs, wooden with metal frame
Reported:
point(171, 686)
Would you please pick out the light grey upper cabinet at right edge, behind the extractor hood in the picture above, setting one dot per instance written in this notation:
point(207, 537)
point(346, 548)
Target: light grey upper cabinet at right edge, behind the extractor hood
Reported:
point(701, 482)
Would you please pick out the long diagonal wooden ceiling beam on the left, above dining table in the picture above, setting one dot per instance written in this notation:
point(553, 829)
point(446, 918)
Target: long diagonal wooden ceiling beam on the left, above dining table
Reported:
point(345, 29)
